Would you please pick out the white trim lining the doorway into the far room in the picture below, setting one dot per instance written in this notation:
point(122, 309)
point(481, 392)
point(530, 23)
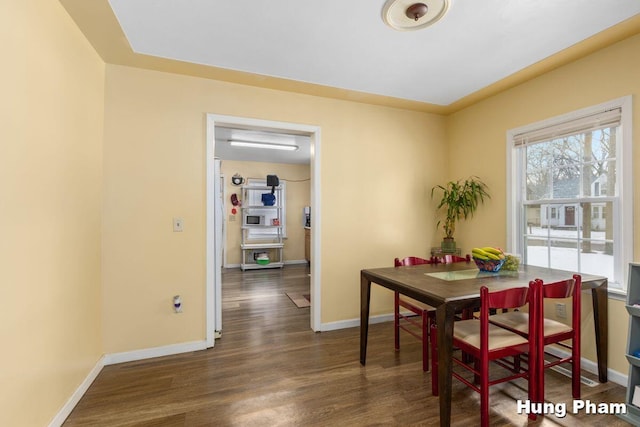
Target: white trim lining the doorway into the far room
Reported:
point(214, 215)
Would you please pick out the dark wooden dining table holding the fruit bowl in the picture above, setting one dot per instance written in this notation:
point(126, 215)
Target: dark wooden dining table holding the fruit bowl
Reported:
point(450, 288)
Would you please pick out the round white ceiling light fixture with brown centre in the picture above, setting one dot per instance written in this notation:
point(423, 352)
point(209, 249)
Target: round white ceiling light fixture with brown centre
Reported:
point(409, 15)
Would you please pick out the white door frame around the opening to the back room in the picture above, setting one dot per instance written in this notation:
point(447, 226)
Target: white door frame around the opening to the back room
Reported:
point(214, 120)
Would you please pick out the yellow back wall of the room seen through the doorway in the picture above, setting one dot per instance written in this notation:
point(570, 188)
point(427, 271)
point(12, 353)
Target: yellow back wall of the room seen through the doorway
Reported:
point(297, 183)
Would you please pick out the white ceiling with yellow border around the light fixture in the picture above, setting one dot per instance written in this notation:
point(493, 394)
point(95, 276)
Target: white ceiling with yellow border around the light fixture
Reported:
point(343, 49)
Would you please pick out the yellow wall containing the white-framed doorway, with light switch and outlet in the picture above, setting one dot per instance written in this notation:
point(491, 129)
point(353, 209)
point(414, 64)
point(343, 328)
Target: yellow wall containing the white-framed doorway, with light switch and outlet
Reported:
point(377, 165)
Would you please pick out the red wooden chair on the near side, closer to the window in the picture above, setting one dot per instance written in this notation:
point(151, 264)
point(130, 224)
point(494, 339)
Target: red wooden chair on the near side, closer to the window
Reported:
point(551, 331)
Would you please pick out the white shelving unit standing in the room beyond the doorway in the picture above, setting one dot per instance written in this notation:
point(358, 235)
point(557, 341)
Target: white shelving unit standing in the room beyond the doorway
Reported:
point(266, 237)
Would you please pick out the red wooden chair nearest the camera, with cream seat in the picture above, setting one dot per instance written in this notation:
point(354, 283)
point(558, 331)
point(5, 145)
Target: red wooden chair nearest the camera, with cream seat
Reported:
point(486, 343)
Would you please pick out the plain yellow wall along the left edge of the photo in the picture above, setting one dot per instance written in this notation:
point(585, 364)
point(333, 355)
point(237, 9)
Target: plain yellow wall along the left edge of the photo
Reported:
point(51, 110)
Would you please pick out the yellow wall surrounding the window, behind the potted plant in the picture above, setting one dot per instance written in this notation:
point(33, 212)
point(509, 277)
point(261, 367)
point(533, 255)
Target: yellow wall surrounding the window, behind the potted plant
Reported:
point(477, 138)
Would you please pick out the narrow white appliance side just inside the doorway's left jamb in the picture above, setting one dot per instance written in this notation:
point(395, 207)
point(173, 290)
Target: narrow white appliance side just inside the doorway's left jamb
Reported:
point(220, 237)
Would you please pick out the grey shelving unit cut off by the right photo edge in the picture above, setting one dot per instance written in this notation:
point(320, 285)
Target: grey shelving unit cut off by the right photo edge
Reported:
point(633, 345)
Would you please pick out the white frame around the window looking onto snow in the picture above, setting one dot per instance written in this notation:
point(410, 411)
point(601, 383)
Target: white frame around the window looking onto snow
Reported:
point(516, 186)
